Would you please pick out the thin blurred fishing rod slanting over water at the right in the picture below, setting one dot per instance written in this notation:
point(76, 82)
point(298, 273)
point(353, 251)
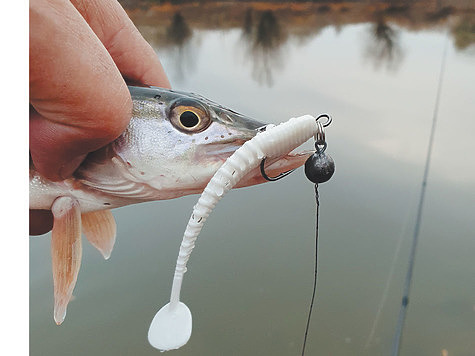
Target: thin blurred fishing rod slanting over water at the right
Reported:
point(412, 257)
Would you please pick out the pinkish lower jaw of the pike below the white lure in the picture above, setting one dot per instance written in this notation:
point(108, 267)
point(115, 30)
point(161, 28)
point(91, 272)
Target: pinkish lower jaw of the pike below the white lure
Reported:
point(274, 167)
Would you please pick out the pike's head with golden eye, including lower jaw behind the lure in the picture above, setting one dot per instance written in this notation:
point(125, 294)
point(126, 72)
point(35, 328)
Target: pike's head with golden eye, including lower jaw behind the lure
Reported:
point(176, 141)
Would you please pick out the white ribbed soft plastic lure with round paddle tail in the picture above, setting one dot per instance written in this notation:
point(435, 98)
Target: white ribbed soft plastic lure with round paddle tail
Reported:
point(171, 327)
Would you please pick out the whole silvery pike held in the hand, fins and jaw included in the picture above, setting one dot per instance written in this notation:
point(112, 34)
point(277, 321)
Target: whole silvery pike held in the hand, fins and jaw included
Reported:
point(173, 145)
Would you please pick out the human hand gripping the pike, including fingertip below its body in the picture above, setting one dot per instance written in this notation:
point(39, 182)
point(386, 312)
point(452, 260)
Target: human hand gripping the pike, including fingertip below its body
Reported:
point(81, 53)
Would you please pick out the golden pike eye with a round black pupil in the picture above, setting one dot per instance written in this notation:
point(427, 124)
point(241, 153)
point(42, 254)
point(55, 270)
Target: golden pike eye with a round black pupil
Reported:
point(189, 117)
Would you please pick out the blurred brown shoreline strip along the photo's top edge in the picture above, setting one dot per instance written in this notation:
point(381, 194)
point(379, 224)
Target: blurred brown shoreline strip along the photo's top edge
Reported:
point(305, 18)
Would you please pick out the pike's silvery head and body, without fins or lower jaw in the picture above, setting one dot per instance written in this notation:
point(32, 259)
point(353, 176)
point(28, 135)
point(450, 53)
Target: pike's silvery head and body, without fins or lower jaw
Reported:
point(172, 146)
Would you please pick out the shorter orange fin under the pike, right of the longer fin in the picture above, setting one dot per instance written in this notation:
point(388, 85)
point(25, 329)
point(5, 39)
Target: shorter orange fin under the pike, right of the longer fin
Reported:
point(100, 229)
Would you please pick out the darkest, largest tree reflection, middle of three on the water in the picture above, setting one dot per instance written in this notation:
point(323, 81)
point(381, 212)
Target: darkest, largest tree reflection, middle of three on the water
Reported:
point(263, 43)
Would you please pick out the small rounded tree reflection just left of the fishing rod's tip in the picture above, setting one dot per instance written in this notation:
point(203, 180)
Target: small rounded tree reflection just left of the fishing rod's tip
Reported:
point(383, 47)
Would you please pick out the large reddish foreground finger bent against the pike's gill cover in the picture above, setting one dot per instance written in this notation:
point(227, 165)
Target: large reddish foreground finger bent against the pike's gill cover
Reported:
point(73, 109)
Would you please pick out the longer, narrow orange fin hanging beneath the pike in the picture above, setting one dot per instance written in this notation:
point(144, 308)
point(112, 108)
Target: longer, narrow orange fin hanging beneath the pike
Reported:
point(66, 251)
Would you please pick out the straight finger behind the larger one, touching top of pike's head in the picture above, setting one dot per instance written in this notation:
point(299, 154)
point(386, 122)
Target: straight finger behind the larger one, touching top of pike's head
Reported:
point(134, 57)
